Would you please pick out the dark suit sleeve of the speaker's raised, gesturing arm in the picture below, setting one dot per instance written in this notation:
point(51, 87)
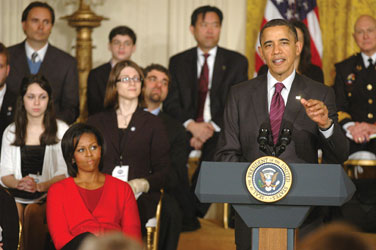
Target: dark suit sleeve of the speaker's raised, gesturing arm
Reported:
point(336, 147)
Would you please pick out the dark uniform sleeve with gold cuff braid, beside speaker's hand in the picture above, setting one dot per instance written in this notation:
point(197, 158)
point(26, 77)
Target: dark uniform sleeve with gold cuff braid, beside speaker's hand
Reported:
point(341, 99)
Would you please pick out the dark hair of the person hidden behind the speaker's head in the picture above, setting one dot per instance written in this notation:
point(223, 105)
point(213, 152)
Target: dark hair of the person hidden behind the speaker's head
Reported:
point(305, 55)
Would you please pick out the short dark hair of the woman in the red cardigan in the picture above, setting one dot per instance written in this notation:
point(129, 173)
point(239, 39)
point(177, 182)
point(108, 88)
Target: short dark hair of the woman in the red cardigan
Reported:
point(70, 141)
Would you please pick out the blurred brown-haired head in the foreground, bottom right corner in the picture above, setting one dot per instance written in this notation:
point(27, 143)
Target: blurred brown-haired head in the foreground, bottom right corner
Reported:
point(336, 236)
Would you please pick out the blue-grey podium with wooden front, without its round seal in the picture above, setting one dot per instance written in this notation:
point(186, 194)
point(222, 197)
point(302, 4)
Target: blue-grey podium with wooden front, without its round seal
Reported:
point(312, 185)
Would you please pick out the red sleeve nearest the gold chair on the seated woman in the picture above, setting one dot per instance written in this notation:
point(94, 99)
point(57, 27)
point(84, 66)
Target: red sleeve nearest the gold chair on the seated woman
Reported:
point(130, 220)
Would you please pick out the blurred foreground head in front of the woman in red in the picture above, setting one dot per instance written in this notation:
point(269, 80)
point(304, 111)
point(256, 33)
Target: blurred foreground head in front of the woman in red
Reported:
point(111, 241)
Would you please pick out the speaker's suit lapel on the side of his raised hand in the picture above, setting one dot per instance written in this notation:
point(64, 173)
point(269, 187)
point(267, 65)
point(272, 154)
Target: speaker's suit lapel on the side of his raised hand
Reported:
point(293, 106)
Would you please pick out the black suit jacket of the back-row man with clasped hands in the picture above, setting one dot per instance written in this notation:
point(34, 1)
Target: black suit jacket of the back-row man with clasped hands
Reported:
point(181, 103)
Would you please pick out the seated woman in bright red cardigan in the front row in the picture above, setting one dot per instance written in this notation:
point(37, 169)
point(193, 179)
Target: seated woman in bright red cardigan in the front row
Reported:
point(89, 202)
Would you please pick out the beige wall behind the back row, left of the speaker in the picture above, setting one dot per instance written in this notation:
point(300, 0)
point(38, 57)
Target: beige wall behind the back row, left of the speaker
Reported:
point(162, 26)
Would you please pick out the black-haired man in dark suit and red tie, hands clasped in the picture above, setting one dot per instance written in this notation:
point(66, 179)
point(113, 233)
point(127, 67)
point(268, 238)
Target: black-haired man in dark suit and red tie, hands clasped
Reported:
point(200, 80)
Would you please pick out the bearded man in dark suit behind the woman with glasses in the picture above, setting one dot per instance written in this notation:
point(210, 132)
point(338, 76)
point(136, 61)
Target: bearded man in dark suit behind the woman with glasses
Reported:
point(155, 90)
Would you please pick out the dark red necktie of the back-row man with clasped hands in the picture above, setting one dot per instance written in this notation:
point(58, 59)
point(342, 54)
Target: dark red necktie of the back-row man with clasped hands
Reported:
point(203, 89)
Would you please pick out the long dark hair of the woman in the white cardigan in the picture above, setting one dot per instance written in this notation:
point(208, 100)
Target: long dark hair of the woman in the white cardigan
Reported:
point(48, 136)
